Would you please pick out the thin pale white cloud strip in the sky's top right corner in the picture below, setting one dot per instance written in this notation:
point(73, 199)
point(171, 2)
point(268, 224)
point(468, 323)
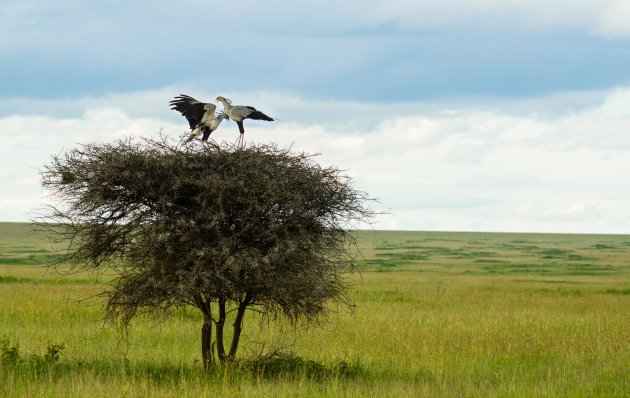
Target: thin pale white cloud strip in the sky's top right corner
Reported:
point(603, 17)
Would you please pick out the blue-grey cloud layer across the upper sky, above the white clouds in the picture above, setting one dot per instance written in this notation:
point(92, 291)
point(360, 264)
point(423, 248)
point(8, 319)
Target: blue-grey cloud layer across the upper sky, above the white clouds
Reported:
point(397, 50)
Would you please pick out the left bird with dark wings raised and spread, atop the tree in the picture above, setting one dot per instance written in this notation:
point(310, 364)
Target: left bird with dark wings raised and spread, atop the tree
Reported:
point(201, 116)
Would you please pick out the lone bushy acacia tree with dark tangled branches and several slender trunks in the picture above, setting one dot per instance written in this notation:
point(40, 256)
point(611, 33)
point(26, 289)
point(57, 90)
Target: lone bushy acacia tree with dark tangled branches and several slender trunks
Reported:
point(220, 228)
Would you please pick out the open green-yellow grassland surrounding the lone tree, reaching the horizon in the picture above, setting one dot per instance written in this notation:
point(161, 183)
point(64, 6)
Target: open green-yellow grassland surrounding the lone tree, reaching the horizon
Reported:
point(437, 314)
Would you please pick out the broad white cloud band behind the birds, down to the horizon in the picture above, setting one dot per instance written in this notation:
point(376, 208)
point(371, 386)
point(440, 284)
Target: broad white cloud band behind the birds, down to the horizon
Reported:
point(492, 166)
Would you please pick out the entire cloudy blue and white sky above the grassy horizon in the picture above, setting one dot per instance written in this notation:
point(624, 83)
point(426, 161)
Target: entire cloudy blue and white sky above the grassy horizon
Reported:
point(469, 115)
